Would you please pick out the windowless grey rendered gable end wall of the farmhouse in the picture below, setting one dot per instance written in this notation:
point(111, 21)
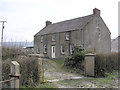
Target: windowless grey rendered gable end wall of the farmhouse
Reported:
point(97, 36)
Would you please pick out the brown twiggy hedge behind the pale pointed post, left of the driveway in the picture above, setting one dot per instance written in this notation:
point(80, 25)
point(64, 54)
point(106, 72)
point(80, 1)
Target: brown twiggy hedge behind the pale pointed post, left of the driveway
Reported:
point(28, 70)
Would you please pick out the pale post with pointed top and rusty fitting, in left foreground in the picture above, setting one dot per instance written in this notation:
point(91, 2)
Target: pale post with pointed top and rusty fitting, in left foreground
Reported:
point(15, 70)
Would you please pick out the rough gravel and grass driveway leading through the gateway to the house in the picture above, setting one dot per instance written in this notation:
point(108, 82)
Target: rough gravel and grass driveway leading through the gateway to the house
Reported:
point(63, 79)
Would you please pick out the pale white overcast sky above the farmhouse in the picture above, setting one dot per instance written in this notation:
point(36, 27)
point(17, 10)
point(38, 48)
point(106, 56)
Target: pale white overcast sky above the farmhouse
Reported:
point(26, 17)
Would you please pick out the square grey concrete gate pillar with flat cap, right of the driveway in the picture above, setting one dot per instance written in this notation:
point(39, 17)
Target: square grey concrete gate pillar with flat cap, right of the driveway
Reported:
point(90, 64)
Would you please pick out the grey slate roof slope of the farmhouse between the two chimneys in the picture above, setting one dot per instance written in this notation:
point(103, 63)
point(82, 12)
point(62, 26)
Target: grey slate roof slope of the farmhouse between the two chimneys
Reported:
point(68, 25)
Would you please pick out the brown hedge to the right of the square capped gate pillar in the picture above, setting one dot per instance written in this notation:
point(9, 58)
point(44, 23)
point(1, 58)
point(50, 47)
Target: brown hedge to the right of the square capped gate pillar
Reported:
point(105, 63)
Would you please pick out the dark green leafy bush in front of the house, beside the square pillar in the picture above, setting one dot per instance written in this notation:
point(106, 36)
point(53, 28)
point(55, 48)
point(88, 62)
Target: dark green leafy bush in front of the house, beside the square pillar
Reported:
point(76, 58)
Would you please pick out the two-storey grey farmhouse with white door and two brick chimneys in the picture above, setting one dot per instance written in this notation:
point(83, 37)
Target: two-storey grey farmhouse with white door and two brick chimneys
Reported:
point(58, 39)
